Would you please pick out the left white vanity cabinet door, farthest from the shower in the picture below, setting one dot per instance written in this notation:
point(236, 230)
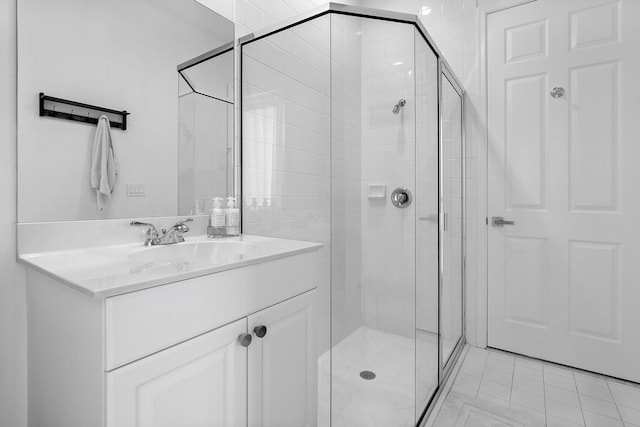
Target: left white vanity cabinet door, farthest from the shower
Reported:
point(199, 383)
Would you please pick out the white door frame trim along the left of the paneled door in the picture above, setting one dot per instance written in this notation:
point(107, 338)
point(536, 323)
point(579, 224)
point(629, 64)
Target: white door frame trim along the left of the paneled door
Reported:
point(485, 8)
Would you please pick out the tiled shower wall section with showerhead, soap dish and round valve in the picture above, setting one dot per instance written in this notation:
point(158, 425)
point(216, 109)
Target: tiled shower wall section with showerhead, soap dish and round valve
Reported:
point(388, 158)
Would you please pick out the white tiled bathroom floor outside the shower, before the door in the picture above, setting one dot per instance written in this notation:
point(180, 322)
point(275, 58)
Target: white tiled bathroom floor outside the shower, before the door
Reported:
point(493, 388)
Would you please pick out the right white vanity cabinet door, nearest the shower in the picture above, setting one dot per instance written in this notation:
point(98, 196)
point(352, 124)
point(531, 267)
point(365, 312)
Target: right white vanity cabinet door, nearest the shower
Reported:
point(283, 365)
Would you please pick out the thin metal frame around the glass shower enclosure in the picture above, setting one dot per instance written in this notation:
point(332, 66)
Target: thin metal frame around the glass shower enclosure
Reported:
point(443, 69)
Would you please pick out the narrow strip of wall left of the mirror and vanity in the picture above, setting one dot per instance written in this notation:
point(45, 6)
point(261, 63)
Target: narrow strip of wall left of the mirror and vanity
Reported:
point(13, 325)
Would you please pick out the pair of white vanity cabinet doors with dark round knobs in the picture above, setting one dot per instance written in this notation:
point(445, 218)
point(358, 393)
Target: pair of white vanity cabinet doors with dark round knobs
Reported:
point(203, 381)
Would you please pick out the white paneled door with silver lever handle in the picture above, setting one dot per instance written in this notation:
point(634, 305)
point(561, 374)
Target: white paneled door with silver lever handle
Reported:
point(563, 166)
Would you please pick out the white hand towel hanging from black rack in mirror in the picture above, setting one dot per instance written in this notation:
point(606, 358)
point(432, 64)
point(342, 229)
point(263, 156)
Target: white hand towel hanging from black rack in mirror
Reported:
point(104, 162)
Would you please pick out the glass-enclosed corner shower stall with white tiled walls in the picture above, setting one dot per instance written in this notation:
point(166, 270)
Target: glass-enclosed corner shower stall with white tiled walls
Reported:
point(352, 136)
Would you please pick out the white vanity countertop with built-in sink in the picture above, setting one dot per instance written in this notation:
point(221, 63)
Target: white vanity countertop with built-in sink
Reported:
point(112, 270)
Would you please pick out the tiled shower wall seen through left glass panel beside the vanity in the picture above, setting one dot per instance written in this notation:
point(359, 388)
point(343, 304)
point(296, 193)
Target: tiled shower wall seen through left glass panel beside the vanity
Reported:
point(286, 132)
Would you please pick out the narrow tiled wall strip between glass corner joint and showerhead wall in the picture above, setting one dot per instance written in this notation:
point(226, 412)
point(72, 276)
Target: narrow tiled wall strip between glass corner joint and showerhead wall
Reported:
point(346, 240)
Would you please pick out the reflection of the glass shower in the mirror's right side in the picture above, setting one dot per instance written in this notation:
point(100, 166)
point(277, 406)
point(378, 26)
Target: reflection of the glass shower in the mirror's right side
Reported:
point(206, 123)
